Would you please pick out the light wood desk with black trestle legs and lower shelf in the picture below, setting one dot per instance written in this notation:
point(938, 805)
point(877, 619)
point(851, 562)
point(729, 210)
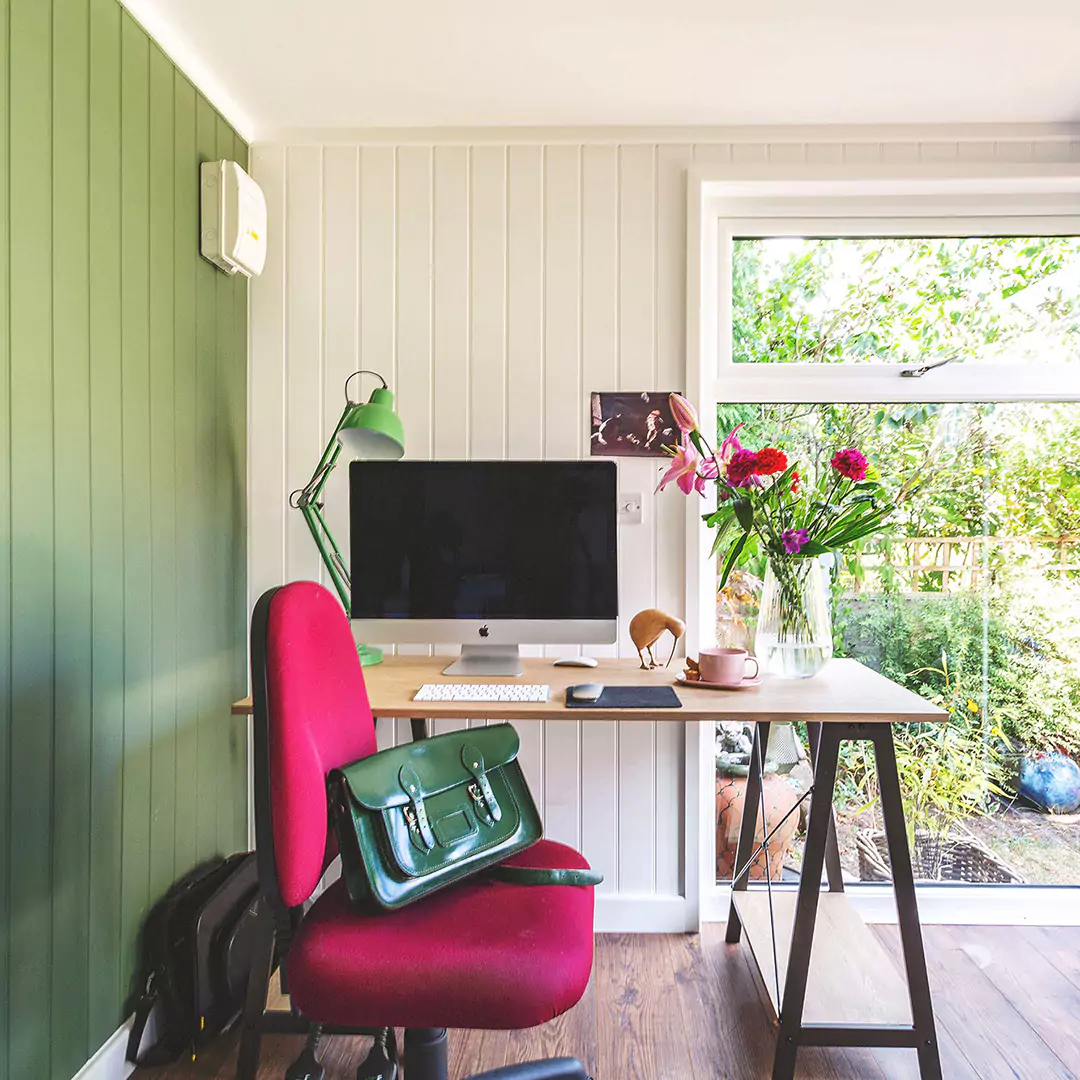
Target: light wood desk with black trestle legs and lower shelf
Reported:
point(849, 994)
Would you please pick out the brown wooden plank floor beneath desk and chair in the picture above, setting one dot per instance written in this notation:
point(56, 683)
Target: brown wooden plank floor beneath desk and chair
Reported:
point(690, 1008)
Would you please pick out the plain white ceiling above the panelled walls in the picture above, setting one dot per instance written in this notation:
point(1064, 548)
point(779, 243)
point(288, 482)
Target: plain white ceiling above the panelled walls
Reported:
point(507, 63)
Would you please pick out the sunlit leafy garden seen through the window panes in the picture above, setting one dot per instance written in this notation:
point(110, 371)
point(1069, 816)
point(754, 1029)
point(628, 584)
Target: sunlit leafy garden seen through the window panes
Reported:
point(971, 596)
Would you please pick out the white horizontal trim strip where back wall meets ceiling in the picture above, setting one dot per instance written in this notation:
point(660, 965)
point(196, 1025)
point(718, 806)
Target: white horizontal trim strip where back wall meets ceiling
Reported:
point(673, 134)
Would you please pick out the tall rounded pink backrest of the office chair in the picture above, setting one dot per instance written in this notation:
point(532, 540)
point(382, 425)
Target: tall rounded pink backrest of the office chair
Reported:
point(312, 715)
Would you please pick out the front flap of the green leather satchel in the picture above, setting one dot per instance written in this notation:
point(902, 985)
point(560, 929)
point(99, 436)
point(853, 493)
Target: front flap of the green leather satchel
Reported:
point(438, 764)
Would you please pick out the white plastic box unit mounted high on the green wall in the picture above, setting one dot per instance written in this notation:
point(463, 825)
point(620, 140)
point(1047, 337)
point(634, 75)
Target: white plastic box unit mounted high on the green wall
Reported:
point(234, 220)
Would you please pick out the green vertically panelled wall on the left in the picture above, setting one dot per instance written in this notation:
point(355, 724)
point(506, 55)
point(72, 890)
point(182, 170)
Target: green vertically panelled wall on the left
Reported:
point(123, 463)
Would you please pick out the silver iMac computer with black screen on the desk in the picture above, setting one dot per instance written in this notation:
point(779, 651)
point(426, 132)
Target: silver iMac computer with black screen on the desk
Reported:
point(487, 555)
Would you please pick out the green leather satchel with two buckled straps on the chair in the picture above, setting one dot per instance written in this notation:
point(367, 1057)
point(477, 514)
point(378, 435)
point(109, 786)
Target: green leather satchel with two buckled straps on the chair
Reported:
point(421, 817)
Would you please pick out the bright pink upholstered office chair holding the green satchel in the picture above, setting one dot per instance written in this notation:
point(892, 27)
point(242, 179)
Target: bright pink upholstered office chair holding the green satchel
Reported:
point(479, 955)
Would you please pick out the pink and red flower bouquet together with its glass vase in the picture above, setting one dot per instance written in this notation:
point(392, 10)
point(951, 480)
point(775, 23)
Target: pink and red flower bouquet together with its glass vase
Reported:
point(794, 516)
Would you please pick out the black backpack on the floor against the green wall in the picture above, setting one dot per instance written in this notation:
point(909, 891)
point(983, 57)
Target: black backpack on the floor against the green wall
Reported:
point(197, 951)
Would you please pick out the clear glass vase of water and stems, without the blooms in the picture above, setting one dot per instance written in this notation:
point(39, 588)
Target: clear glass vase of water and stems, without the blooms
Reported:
point(794, 630)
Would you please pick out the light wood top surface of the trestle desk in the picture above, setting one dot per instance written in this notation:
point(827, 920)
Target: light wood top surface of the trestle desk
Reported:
point(845, 691)
